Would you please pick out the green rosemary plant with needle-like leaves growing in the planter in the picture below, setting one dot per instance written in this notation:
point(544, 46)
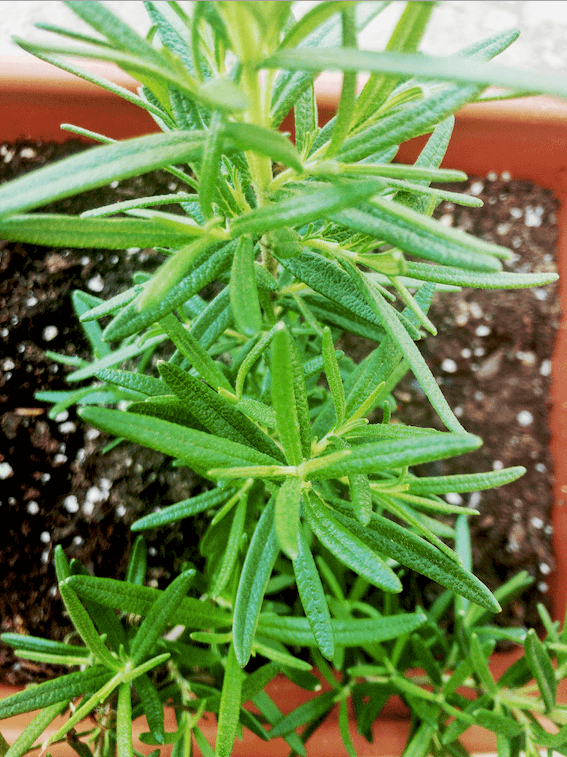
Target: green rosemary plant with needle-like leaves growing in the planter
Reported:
point(305, 239)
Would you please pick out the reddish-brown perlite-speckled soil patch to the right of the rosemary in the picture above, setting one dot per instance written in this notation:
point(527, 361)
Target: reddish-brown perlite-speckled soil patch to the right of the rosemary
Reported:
point(492, 360)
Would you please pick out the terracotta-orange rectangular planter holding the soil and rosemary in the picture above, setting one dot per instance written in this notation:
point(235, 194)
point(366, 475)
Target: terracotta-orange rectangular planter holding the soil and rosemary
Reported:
point(527, 137)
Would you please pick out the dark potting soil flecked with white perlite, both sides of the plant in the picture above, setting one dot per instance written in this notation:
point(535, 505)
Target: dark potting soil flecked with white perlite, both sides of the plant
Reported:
point(492, 360)
